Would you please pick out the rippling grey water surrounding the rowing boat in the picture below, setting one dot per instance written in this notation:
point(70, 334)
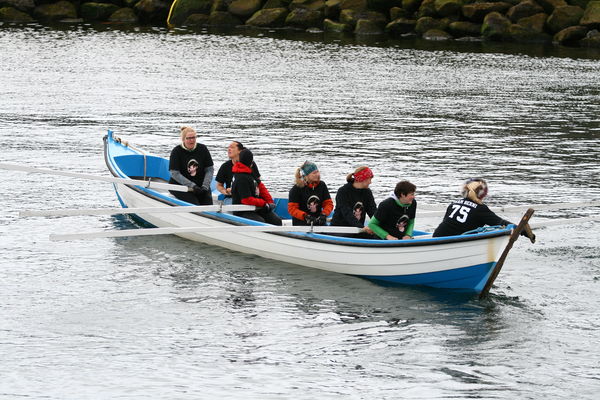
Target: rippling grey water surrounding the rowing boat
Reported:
point(161, 317)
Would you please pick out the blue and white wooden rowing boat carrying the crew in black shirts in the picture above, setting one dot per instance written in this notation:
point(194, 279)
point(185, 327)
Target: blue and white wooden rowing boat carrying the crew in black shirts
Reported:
point(462, 262)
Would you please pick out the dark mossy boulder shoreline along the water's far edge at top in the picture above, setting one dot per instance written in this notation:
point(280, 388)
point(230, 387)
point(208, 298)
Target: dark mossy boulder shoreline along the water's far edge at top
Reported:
point(563, 22)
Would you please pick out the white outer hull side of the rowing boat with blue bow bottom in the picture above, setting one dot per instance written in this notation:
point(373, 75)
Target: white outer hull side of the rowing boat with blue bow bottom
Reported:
point(393, 264)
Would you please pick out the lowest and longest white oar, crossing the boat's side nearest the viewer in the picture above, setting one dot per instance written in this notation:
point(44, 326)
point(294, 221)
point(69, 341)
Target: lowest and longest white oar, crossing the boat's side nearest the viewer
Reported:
point(203, 229)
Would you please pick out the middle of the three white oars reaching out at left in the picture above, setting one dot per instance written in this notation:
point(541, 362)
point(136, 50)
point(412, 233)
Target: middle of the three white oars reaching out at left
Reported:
point(141, 210)
